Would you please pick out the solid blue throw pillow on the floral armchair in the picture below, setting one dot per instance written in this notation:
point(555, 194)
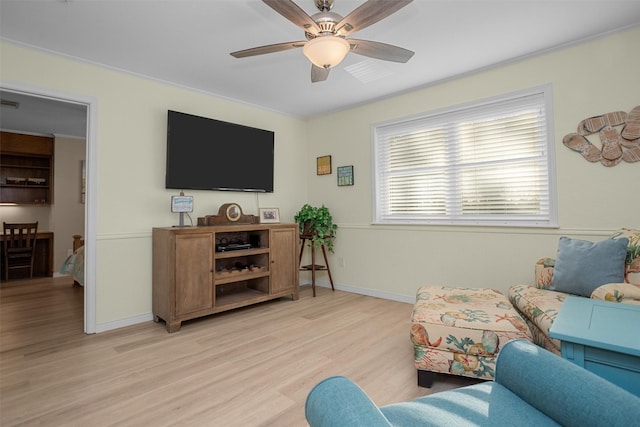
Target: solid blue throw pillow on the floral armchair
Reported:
point(582, 266)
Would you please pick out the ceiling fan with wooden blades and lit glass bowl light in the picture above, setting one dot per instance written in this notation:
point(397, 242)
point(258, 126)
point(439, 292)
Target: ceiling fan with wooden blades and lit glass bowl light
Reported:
point(325, 32)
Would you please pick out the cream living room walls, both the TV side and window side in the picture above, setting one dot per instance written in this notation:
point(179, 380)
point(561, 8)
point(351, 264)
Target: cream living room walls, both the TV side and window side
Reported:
point(587, 80)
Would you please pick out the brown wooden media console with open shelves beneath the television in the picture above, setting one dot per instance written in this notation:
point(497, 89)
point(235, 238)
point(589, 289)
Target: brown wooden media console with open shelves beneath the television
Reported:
point(198, 271)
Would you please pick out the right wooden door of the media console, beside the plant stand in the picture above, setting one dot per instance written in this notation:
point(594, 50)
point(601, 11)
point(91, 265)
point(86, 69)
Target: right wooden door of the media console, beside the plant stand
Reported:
point(284, 268)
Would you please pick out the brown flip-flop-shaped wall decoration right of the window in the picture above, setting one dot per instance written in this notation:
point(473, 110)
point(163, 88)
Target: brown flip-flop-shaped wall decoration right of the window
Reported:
point(619, 135)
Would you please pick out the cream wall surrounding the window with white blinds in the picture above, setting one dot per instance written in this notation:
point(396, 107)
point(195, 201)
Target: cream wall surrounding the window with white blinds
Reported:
point(588, 79)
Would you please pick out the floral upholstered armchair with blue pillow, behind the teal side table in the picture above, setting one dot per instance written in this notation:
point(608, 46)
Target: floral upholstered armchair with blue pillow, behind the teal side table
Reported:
point(607, 270)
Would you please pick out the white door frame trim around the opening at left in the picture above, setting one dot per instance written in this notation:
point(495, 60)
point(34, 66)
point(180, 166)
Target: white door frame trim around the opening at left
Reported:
point(67, 104)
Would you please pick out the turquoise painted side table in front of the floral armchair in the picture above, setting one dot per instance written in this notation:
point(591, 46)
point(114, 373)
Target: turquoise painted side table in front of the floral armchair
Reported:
point(602, 337)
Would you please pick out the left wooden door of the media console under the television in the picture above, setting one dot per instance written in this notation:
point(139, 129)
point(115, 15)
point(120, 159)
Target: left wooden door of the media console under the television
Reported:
point(194, 273)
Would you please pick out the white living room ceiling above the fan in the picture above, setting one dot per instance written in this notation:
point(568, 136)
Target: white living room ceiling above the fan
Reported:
point(188, 43)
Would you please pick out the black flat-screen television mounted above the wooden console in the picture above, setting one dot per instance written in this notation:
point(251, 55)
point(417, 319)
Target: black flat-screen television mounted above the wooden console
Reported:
point(208, 154)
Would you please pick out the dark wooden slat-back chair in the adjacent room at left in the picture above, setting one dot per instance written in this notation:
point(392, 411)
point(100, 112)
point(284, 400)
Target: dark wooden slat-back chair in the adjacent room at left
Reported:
point(19, 246)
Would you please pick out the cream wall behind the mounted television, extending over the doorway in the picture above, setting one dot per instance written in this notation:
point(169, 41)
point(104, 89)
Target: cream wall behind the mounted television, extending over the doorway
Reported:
point(131, 133)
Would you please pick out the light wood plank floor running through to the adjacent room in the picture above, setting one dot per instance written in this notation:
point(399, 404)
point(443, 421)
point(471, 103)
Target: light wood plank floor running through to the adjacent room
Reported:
point(248, 367)
